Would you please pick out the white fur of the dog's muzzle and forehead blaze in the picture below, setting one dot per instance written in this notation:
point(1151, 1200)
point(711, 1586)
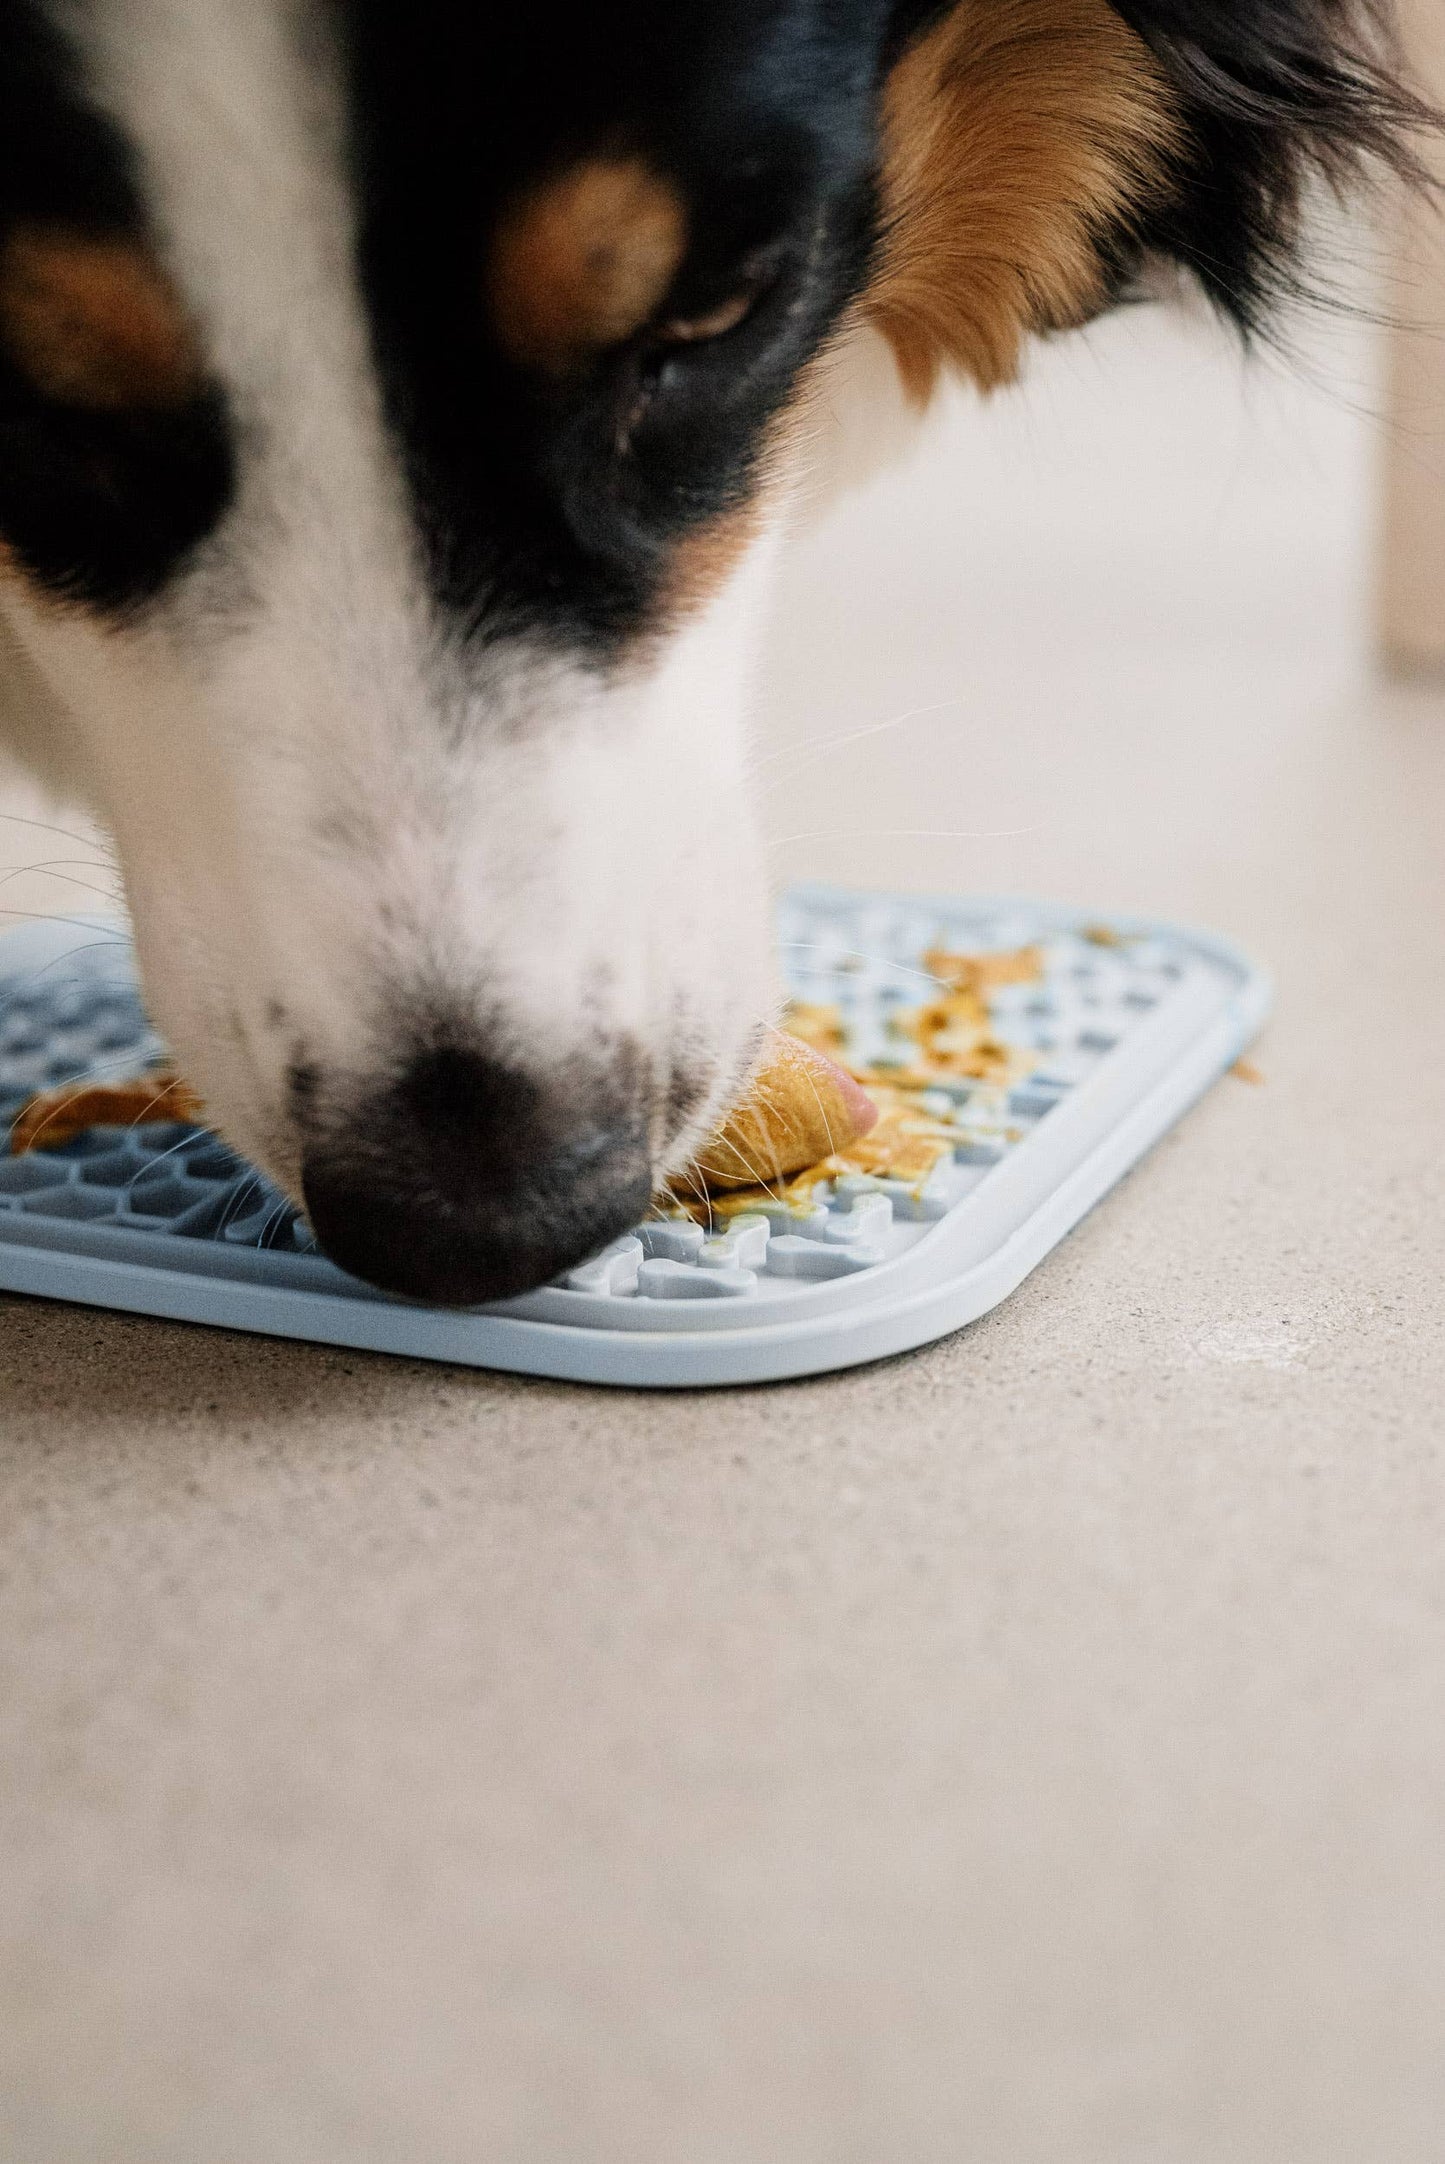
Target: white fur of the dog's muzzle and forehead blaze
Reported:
point(326, 808)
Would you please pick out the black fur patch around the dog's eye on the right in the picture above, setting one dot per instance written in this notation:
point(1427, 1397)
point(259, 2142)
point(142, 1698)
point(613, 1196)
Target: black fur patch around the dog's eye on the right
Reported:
point(559, 505)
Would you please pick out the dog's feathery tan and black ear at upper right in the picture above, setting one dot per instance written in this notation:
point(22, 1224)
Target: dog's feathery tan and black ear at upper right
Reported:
point(1035, 153)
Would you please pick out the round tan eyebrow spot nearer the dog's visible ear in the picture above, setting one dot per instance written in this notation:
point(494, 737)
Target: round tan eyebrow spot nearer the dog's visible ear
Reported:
point(583, 261)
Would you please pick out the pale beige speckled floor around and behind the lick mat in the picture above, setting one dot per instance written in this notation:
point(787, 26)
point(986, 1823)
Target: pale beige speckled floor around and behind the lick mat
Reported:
point(1029, 1752)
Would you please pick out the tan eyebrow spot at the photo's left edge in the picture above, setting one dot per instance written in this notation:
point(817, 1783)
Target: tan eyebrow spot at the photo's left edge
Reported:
point(94, 321)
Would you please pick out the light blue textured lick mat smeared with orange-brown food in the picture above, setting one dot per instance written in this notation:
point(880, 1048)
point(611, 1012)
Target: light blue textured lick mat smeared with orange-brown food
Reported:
point(1115, 1033)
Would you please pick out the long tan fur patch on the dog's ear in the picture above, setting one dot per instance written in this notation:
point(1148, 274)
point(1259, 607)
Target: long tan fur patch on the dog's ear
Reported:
point(1016, 135)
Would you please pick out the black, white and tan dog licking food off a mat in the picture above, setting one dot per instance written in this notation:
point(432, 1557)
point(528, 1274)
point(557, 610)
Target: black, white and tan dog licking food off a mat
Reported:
point(399, 414)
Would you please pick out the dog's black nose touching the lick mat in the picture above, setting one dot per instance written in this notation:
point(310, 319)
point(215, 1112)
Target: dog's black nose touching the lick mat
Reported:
point(470, 1180)
